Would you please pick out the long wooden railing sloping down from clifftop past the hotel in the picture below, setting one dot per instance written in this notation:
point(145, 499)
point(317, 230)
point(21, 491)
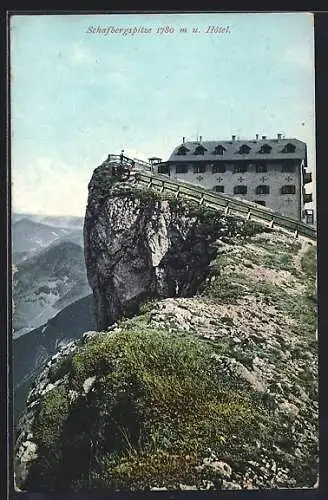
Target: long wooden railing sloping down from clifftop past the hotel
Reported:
point(216, 201)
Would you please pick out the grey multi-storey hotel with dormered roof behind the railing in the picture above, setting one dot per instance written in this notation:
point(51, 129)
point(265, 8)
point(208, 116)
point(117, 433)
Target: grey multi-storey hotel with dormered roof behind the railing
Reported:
point(269, 172)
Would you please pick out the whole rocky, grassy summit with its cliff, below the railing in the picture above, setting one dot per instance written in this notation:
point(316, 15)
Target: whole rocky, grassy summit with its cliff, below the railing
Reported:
point(203, 372)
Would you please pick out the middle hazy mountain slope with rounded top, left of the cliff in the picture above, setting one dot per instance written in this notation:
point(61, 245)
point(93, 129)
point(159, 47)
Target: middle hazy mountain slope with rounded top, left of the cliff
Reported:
point(47, 282)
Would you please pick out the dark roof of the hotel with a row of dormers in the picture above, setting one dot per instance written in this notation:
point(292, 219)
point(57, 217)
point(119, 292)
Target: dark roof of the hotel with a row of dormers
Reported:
point(231, 152)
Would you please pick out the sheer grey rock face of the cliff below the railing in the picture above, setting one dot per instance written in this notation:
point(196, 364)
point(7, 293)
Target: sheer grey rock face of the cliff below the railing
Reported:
point(138, 245)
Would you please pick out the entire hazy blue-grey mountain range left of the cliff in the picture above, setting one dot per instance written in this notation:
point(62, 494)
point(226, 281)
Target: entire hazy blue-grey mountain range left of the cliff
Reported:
point(51, 296)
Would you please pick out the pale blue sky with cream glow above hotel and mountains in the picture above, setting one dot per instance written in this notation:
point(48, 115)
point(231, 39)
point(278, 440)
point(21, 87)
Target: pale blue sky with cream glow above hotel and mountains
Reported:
point(81, 89)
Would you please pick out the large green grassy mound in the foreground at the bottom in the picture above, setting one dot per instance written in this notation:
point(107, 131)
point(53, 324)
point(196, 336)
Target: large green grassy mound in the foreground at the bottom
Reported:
point(158, 403)
